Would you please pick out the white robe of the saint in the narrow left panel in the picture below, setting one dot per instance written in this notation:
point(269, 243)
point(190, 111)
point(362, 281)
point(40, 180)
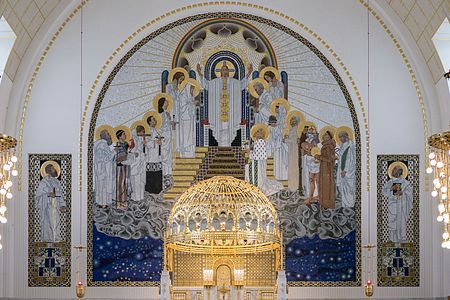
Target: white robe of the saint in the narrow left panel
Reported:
point(49, 209)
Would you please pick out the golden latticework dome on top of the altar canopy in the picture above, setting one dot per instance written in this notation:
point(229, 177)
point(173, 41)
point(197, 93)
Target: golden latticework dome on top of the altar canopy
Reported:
point(223, 215)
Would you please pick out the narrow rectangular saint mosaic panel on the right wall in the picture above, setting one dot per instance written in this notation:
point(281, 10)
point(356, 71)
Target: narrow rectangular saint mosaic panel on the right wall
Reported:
point(398, 220)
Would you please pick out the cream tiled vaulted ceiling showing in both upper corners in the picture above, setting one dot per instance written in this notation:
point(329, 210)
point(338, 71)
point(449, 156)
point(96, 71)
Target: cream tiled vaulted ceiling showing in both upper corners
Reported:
point(421, 17)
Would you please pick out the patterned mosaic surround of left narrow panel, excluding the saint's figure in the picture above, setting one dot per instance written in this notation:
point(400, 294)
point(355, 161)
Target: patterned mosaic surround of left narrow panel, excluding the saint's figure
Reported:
point(49, 255)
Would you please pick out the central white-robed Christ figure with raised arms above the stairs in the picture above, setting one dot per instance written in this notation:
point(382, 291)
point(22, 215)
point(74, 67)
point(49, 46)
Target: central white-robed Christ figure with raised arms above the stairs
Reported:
point(224, 103)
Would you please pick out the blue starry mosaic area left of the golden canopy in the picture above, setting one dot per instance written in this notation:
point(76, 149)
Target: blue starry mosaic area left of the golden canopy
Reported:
point(116, 259)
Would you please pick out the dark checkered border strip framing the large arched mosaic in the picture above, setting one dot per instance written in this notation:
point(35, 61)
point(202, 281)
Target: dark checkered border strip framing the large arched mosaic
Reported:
point(225, 15)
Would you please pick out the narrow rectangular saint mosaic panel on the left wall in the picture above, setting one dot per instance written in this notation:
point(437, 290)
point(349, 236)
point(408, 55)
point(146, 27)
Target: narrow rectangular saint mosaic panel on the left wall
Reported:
point(49, 223)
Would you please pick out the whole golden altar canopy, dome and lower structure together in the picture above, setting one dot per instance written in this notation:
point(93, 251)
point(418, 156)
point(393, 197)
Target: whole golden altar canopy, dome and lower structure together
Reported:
point(223, 221)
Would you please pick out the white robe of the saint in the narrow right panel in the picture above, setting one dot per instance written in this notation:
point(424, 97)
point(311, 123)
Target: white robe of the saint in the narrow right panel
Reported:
point(399, 208)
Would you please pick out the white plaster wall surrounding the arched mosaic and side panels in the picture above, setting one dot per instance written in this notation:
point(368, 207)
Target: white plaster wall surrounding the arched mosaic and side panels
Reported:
point(53, 119)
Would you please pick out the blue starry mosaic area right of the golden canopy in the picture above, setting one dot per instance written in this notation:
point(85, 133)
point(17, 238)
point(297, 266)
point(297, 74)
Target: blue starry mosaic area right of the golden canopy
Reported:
point(314, 259)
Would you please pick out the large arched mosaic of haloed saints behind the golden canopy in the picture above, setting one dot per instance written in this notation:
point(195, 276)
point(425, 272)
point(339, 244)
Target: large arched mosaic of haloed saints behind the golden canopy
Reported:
point(224, 94)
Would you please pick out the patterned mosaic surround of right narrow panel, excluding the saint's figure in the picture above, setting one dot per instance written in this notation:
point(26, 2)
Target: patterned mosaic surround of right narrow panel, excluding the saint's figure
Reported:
point(388, 253)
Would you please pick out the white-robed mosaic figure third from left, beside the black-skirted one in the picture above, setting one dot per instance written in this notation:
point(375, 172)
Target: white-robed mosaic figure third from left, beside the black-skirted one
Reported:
point(137, 174)
